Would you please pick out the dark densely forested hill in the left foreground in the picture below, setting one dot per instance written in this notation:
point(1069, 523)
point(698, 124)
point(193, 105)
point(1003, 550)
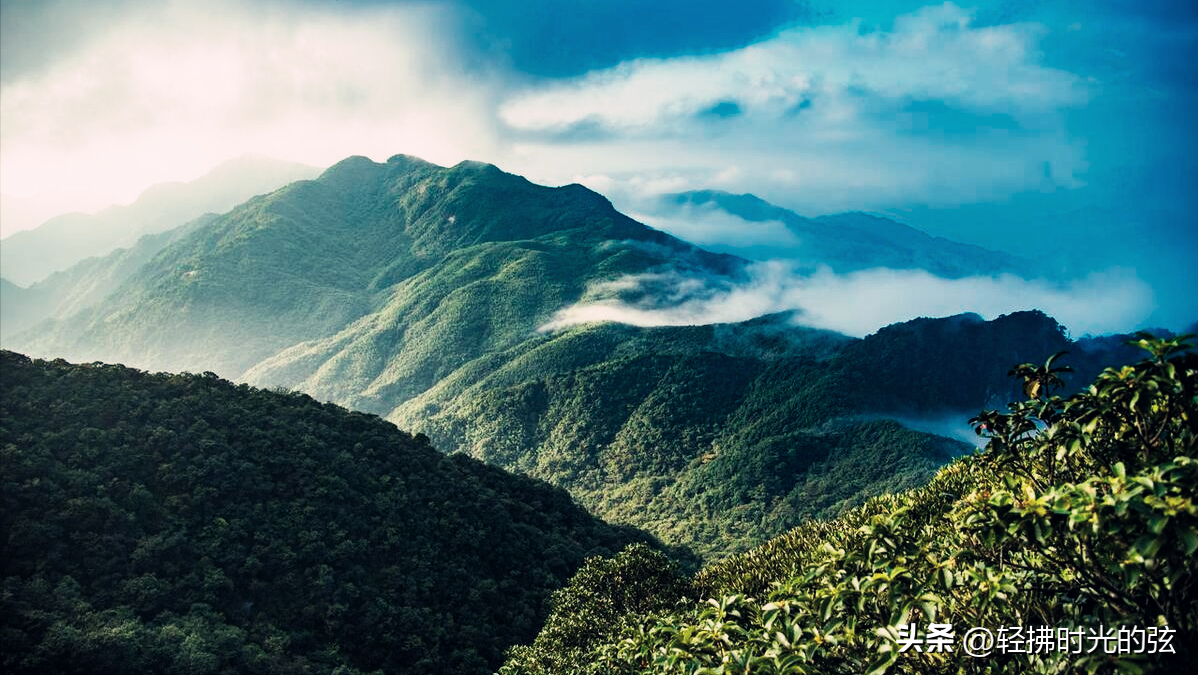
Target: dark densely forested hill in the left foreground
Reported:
point(162, 523)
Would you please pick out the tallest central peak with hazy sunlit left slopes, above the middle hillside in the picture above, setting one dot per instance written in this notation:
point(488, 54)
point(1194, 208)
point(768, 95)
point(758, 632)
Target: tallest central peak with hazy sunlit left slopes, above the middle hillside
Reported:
point(367, 264)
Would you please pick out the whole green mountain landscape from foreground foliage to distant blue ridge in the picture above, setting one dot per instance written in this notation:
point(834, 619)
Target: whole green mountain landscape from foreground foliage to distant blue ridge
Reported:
point(180, 522)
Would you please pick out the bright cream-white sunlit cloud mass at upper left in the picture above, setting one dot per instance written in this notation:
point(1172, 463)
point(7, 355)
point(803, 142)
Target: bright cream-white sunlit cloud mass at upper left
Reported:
point(171, 91)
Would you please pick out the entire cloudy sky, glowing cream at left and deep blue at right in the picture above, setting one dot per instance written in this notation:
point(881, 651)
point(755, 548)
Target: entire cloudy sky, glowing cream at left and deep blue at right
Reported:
point(1056, 130)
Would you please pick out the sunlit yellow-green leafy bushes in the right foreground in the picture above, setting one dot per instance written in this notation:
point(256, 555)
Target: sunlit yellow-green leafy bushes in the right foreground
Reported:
point(1080, 515)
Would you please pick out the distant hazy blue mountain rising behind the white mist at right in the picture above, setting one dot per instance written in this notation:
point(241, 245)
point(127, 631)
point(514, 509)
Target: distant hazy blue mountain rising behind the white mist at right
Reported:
point(854, 242)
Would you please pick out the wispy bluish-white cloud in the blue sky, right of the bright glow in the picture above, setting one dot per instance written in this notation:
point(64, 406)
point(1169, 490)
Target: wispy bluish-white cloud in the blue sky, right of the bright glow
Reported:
point(826, 122)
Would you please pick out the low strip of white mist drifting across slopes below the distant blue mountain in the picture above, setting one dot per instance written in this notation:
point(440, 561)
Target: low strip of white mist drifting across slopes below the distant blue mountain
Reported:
point(862, 303)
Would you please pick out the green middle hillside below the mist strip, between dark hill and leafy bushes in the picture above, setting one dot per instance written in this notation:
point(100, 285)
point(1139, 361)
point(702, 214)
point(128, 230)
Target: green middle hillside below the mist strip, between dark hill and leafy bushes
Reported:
point(722, 437)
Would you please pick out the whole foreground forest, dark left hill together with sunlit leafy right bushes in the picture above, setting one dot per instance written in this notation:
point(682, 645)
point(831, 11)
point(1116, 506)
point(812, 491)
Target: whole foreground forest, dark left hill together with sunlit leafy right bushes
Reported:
point(179, 523)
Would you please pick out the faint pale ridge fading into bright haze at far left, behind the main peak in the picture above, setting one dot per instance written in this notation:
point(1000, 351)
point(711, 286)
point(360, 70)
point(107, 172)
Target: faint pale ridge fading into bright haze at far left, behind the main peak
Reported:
point(31, 256)
